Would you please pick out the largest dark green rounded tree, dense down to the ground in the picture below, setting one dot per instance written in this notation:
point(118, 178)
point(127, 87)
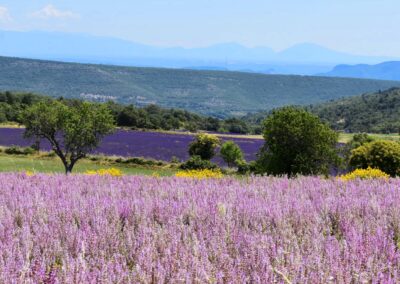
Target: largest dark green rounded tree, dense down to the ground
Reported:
point(296, 142)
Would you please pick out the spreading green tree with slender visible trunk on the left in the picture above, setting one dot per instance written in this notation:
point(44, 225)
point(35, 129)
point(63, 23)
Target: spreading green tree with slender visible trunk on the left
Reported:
point(73, 131)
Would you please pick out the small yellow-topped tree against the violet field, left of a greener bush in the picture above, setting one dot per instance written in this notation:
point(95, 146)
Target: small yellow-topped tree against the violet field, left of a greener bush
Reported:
point(204, 146)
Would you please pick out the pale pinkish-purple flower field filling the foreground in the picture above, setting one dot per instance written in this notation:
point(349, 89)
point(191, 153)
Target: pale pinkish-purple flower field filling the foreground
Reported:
point(97, 229)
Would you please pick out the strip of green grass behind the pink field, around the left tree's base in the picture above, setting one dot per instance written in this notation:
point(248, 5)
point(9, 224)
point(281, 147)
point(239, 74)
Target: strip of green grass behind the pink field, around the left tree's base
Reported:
point(9, 163)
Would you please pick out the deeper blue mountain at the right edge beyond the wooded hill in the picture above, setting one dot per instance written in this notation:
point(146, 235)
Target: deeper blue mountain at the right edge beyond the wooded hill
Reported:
point(383, 71)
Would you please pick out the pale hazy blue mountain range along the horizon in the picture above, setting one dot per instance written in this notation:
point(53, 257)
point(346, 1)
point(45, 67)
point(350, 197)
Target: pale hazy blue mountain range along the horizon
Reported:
point(303, 59)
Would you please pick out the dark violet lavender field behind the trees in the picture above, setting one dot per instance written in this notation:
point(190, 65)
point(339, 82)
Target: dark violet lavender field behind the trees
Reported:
point(153, 145)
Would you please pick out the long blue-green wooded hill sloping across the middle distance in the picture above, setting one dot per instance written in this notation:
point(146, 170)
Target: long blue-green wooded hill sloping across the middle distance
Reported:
point(216, 93)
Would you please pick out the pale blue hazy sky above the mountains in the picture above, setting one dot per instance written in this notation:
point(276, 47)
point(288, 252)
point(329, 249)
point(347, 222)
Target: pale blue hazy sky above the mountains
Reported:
point(369, 27)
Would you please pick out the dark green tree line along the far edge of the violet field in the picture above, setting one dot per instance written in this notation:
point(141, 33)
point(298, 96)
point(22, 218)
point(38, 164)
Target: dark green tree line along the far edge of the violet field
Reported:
point(147, 117)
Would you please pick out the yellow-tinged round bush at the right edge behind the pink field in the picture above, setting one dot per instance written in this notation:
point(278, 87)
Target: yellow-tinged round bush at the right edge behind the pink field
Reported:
point(383, 155)
